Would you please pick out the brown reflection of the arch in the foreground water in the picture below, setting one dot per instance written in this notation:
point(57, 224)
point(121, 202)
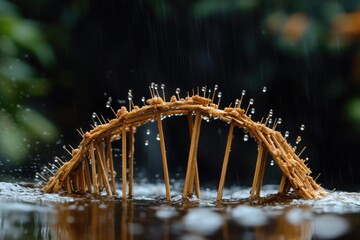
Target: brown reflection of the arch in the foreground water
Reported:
point(136, 220)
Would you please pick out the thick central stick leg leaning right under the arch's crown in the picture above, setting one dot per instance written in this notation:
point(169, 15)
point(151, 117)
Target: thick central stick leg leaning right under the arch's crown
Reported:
point(191, 167)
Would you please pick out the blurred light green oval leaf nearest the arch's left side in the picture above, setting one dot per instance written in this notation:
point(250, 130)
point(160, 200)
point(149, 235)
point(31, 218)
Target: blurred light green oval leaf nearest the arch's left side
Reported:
point(37, 124)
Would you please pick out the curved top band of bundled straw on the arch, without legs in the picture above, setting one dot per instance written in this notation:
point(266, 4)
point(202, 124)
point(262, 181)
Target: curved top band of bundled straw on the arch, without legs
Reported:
point(293, 168)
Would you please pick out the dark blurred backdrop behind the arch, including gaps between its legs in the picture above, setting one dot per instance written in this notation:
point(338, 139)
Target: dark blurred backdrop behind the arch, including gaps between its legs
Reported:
point(306, 54)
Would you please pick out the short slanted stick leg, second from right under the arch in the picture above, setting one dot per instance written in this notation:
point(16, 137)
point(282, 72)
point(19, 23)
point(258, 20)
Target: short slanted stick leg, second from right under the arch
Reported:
point(259, 171)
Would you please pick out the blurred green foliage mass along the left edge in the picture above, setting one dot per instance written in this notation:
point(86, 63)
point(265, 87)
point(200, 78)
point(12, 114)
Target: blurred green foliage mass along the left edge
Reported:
point(20, 125)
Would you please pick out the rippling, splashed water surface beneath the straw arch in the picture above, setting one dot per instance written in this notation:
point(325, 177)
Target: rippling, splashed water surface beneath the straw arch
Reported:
point(27, 213)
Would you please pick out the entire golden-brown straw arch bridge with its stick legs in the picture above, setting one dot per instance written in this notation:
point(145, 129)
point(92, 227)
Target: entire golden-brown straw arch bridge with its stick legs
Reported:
point(91, 169)
